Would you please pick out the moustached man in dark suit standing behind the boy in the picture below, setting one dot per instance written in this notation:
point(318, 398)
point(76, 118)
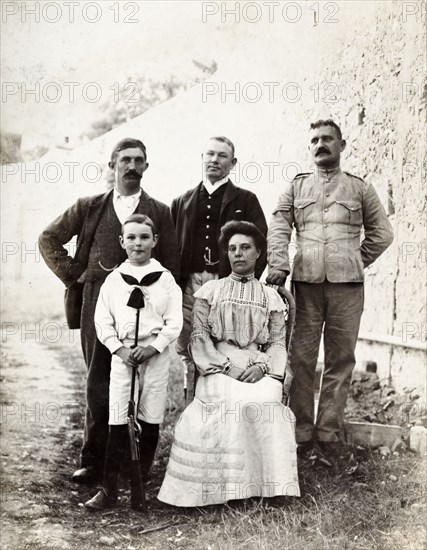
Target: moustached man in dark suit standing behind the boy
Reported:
point(97, 221)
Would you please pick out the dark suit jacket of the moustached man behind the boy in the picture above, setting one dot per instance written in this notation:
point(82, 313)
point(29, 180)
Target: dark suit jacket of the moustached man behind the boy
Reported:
point(82, 219)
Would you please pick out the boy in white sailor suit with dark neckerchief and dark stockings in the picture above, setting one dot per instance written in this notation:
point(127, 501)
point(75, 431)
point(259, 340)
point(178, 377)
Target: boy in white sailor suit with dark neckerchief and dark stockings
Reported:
point(160, 323)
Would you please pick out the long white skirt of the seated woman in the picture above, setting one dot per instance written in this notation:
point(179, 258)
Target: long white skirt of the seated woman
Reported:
point(235, 440)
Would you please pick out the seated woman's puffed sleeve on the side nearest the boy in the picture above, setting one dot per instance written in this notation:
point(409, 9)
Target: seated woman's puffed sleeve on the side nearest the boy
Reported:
point(206, 358)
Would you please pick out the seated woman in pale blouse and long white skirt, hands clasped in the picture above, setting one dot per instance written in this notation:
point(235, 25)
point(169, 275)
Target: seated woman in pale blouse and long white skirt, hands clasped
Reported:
point(236, 439)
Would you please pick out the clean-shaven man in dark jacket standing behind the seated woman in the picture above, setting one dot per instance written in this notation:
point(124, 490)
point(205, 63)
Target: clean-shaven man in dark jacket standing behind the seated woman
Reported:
point(199, 215)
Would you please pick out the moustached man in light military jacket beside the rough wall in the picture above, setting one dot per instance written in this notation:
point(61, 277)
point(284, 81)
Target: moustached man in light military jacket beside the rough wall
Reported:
point(328, 208)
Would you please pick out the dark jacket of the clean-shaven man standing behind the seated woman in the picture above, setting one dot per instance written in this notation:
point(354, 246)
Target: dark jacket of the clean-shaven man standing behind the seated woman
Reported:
point(237, 204)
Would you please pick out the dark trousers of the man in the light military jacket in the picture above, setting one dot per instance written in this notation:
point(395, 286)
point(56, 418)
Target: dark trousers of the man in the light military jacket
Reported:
point(336, 308)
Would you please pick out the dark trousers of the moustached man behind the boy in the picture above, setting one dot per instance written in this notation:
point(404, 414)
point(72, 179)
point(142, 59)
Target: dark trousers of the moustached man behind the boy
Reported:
point(98, 362)
